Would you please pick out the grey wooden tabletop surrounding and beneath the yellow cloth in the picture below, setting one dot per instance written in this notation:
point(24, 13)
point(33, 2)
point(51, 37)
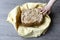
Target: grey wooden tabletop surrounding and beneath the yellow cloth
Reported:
point(7, 31)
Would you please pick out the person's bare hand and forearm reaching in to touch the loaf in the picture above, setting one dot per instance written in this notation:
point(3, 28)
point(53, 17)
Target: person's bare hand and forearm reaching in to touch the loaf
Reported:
point(47, 8)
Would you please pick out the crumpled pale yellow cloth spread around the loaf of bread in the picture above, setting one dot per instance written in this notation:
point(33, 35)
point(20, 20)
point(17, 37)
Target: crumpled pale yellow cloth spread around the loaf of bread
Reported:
point(14, 18)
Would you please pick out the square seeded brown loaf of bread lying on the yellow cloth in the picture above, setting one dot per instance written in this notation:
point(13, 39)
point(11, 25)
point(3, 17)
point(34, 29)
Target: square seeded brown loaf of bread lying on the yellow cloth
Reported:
point(31, 17)
